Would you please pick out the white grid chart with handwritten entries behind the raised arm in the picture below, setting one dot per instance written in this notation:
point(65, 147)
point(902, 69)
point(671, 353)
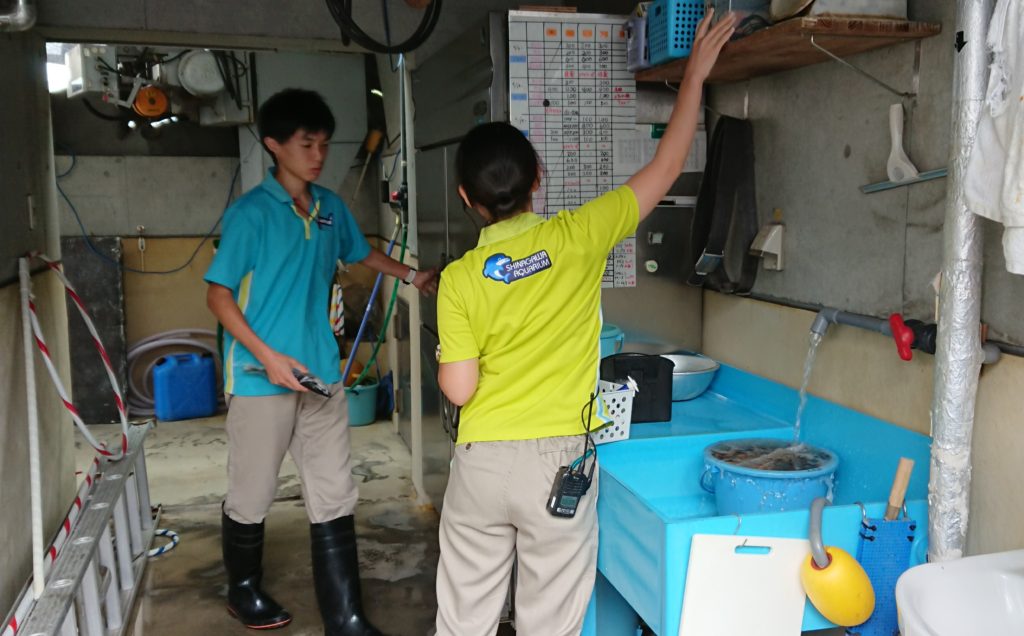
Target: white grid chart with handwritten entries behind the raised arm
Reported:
point(571, 94)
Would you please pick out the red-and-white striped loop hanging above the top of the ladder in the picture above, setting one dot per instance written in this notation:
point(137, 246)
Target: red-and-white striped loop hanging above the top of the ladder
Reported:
point(56, 377)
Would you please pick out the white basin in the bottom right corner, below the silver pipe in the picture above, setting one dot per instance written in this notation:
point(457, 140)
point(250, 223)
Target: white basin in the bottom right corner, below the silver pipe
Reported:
point(974, 596)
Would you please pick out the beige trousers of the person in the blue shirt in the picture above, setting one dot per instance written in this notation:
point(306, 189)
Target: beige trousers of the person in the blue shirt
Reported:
point(314, 430)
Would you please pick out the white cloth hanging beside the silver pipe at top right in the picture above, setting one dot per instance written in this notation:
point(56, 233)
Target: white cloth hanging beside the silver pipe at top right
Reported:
point(995, 180)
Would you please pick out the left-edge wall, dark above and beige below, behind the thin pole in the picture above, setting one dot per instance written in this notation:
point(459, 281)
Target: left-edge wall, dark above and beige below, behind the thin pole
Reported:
point(29, 147)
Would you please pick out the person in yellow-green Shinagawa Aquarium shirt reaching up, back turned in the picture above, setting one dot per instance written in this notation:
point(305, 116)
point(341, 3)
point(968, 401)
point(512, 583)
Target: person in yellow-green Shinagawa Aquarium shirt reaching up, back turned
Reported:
point(520, 322)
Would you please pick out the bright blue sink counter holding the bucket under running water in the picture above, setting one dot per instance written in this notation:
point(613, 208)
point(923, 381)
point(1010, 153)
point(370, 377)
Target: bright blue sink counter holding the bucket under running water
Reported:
point(652, 504)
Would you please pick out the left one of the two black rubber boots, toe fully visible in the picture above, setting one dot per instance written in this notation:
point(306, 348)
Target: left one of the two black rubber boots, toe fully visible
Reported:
point(243, 546)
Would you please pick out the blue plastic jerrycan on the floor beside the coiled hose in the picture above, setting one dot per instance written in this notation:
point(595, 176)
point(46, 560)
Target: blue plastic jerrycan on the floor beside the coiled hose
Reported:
point(185, 387)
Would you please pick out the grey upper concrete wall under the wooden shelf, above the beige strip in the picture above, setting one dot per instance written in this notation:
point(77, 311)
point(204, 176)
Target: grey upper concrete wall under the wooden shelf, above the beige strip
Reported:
point(821, 134)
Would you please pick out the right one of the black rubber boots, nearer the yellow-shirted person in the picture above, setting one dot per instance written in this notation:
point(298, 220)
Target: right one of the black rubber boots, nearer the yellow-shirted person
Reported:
point(336, 576)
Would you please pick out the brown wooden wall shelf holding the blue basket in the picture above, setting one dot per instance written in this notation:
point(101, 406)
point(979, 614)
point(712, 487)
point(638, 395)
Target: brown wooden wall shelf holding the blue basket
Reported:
point(788, 46)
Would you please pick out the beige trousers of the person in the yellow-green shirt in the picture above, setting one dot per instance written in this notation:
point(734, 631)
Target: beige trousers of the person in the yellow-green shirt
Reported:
point(495, 511)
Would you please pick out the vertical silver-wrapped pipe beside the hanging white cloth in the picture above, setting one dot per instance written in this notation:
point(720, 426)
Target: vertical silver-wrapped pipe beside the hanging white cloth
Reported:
point(959, 355)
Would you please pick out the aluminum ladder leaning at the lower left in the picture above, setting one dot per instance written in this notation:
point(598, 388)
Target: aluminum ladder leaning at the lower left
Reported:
point(94, 583)
